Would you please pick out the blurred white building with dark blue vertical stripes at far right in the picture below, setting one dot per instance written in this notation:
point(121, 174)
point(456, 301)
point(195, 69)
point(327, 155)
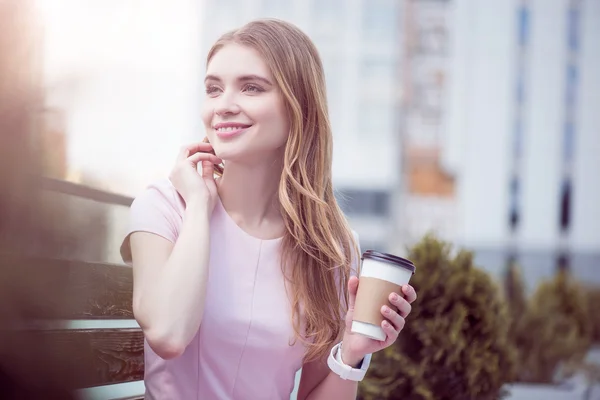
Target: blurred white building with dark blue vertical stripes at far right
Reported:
point(522, 133)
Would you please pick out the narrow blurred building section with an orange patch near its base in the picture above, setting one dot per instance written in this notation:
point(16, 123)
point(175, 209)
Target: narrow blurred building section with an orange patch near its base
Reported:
point(429, 199)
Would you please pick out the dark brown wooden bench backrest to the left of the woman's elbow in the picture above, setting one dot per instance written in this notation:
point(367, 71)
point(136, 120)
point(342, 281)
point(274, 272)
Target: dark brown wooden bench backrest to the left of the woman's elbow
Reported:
point(72, 323)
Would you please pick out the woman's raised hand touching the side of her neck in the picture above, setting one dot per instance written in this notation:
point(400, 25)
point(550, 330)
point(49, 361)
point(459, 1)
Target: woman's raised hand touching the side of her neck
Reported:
point(190, 184)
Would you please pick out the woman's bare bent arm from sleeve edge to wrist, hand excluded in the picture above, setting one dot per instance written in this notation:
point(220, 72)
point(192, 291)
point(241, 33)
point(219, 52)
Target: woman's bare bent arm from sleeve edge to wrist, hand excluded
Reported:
point(170, 282)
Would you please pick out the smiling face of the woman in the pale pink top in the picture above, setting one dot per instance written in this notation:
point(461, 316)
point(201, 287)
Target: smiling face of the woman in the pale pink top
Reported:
point(244, 112)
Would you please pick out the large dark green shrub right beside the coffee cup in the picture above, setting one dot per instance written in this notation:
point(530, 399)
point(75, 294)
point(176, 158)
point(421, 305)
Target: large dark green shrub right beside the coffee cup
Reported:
point(455, 343)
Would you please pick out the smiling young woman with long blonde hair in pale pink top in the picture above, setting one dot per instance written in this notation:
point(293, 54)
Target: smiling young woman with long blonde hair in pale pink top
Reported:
point(242, 280)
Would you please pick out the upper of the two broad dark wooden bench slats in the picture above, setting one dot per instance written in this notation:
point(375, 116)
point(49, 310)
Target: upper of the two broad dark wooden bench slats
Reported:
point(86, 290)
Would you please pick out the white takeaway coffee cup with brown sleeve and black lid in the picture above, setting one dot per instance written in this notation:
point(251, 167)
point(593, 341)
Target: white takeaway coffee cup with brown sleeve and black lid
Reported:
point(381, 274)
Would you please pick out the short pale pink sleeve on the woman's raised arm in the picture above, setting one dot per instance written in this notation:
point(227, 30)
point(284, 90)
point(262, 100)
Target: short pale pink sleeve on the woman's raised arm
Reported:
point(158, 210)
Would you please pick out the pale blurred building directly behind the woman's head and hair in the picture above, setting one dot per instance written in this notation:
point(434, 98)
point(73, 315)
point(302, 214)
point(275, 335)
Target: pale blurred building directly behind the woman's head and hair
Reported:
point(360, 44)
